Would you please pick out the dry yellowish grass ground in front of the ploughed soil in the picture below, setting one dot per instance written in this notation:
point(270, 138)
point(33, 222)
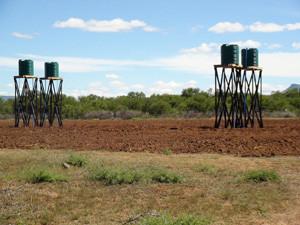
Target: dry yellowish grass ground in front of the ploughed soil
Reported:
point(136, 183)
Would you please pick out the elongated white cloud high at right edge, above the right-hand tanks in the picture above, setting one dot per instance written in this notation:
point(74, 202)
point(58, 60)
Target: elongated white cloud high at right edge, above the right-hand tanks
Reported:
point(224, 27)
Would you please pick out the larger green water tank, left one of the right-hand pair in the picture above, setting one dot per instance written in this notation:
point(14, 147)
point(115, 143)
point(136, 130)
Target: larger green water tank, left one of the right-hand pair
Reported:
point(229, 54)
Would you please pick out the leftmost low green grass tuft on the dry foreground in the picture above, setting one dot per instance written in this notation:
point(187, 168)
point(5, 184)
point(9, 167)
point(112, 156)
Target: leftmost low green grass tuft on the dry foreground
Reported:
point(41, 176)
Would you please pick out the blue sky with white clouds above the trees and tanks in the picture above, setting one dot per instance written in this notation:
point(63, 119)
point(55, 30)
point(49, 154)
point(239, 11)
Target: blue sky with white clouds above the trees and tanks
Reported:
point(109, 48)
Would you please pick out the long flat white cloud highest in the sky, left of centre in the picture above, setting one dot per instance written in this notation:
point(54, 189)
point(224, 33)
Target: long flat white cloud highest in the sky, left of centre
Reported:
point(104, 26)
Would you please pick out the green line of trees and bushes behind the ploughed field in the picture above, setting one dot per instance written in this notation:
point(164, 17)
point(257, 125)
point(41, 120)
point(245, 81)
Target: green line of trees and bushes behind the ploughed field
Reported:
point(136, 104)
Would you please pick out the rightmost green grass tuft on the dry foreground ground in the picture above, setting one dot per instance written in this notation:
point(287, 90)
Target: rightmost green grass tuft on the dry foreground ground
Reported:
point(261, 175)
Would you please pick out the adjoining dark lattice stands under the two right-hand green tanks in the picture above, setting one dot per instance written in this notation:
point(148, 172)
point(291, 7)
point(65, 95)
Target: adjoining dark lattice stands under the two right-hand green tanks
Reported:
point(238, 96)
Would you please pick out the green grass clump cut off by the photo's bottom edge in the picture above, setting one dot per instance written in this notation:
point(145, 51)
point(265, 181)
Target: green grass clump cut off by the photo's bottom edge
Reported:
point(166, 219)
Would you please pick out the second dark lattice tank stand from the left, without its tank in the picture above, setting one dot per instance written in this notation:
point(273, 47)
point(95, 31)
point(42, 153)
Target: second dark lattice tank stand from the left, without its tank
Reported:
point(51, 100)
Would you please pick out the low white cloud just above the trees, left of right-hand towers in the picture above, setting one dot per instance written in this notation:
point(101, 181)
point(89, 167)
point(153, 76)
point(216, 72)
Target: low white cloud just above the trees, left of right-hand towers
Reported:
point(161, 87)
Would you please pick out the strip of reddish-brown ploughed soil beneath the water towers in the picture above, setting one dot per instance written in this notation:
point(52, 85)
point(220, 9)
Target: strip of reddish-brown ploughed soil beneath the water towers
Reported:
point(278, 137)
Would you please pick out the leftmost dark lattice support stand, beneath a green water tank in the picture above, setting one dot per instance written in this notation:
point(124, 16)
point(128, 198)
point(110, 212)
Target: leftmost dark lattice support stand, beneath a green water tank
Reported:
point(26, 102)
